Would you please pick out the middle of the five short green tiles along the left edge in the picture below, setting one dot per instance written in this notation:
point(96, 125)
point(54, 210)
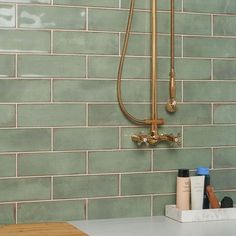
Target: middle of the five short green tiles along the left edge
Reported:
point(8, 116)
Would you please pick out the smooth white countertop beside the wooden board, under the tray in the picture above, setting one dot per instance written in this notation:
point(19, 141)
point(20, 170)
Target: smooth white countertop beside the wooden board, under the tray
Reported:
point(155, 226)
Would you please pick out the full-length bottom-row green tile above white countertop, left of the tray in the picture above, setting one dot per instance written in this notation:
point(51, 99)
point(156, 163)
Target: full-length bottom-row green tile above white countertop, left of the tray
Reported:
point(119, 207)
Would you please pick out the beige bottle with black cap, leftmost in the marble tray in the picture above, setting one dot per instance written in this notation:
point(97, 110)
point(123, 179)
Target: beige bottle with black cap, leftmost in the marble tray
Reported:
point(183, 190)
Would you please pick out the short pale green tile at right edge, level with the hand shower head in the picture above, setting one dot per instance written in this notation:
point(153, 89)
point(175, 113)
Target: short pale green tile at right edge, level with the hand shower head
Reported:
point(224, 114)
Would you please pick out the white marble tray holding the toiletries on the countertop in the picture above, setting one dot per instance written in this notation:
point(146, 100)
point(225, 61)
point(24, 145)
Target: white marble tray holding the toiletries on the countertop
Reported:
point(200, 215)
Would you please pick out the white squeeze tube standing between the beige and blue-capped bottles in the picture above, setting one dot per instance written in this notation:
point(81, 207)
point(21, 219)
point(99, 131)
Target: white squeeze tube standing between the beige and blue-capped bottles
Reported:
point(197, 190)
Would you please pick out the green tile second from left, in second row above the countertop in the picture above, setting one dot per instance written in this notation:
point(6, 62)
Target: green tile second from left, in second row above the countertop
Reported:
point(85, 186)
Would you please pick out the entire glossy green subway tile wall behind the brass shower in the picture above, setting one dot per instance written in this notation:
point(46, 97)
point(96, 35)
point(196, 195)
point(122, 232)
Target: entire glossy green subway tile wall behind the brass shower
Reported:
point(65, 147)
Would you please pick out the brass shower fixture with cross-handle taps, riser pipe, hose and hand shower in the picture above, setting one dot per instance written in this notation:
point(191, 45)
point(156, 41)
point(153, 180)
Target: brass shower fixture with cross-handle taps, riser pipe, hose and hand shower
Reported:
point(154, 137)
